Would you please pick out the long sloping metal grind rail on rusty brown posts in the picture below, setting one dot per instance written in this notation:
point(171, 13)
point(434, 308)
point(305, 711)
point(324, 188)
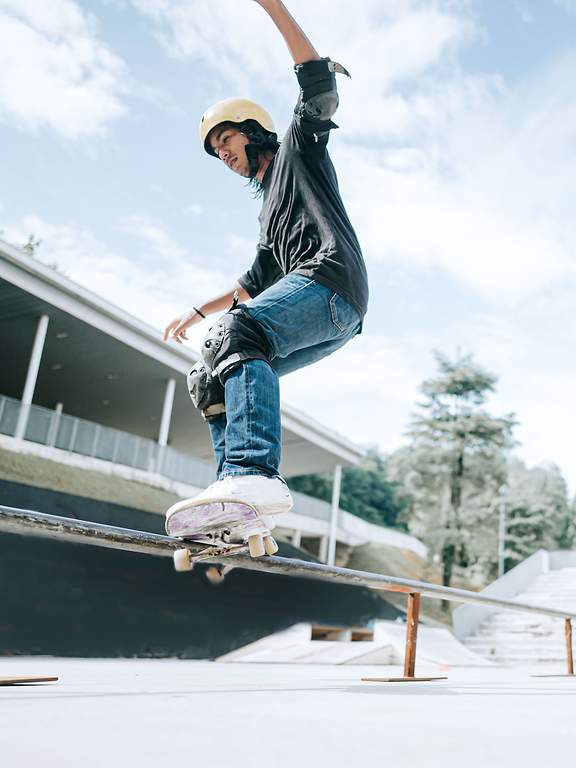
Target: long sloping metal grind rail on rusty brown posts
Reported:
point(20, 521)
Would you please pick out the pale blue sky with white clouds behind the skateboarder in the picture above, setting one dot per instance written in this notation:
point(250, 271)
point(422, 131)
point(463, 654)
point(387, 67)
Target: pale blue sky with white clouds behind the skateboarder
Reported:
point(455, 156)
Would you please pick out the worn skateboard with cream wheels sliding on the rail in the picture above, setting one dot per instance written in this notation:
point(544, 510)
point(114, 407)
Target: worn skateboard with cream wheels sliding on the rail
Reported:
point(225, 527)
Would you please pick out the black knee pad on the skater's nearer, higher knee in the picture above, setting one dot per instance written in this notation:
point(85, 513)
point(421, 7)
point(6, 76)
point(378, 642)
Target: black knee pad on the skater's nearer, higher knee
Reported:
point(236, 337)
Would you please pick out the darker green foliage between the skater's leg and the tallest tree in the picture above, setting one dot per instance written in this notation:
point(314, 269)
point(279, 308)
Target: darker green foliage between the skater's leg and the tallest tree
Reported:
point(365, 492)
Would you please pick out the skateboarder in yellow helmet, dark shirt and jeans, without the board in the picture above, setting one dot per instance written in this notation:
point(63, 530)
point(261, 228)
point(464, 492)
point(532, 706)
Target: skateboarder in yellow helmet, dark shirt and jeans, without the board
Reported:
point(304, 296)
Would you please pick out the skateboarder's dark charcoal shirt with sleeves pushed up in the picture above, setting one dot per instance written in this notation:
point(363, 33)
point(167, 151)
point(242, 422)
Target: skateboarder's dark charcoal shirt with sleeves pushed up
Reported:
point(304, 227)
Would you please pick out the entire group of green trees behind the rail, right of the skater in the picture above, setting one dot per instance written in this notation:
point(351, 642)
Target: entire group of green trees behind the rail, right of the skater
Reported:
point(445, 485)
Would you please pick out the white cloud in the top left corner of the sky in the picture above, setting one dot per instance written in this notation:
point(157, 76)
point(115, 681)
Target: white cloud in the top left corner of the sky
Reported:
point(54, 70)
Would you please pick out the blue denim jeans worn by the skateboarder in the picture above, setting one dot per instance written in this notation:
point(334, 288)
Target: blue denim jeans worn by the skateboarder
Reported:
point(303, 322)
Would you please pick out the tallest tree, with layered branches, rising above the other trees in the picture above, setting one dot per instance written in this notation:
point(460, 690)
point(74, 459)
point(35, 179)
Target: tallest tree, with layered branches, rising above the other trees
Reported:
point(455, 465)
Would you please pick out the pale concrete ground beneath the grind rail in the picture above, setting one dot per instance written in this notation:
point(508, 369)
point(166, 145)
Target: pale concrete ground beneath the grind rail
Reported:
point(159, 713)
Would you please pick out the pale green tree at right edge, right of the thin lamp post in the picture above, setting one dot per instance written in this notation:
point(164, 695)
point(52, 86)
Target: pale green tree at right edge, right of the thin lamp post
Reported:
point(538, 512)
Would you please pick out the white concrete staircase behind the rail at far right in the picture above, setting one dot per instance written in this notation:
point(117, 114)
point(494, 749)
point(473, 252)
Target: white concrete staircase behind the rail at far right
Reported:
point(523, 638)
